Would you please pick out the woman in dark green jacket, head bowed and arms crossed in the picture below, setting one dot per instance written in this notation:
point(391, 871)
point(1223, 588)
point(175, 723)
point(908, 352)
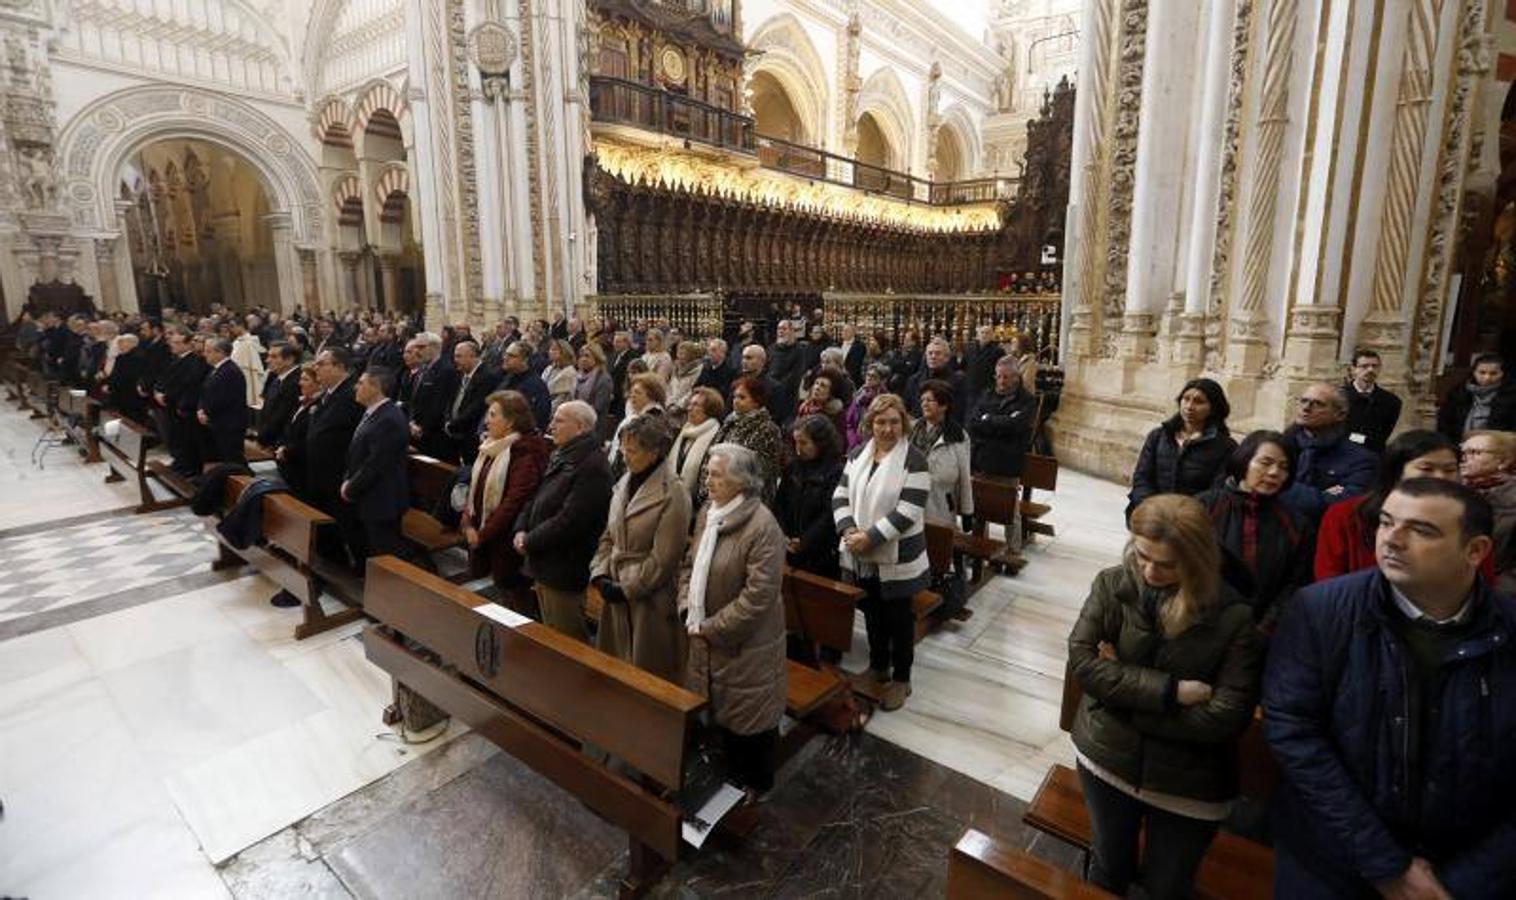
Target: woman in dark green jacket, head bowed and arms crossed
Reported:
point(1170, 664)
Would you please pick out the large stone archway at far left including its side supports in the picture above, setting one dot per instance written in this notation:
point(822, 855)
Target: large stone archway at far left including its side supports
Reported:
point(105, 136)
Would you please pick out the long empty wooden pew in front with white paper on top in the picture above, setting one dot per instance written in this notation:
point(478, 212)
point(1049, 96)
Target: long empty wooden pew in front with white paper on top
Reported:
point(543, 698)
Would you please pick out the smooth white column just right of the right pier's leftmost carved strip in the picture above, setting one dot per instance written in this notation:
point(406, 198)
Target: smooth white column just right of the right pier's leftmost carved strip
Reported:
point(1164, 136)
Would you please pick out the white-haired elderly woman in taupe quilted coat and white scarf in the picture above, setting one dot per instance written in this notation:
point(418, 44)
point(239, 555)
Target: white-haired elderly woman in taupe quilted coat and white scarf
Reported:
point(731, 605)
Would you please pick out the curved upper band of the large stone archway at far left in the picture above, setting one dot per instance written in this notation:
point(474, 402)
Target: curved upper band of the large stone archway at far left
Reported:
point(102, 136)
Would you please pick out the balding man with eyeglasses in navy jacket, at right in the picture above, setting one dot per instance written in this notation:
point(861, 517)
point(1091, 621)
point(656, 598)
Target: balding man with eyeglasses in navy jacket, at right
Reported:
point(1329, 466)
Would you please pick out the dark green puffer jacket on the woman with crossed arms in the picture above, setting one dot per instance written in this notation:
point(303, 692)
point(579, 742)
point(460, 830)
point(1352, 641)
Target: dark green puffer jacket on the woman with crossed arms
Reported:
point(1129, 722)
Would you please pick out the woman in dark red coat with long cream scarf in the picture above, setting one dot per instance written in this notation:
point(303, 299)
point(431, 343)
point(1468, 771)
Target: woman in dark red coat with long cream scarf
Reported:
point(512, 461)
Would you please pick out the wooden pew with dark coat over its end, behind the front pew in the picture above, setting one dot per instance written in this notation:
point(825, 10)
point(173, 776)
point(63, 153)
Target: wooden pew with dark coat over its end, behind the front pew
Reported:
point(286, 554)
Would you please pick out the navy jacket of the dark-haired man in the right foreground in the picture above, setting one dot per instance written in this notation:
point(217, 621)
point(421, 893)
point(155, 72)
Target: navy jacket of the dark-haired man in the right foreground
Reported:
point(1336, 711)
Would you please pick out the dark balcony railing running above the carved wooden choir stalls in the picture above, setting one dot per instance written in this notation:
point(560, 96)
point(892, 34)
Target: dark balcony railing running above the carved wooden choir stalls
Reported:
point(622, 102)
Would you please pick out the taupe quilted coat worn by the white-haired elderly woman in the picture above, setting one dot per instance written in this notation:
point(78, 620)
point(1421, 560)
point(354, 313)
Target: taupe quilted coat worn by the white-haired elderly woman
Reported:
point(738, 661)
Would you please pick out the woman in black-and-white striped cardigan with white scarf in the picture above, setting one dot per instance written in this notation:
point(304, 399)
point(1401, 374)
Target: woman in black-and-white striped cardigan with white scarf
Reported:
point(879, 505)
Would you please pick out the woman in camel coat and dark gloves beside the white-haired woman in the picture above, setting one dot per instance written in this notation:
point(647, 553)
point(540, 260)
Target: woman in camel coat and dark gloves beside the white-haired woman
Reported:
point(637, 566)
